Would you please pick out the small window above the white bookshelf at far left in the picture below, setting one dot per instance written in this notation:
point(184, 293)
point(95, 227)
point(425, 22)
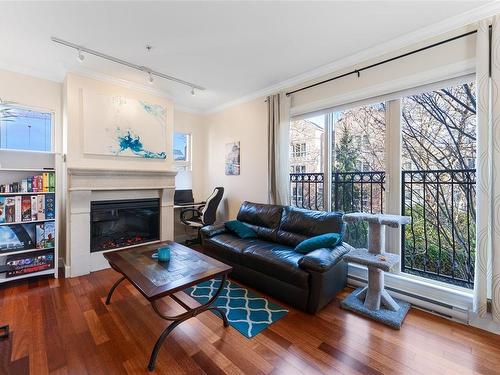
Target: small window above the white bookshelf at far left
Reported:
point(25, 129)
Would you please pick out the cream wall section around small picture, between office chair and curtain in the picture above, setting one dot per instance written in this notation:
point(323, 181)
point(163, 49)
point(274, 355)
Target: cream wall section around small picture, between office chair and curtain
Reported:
point(246, 123)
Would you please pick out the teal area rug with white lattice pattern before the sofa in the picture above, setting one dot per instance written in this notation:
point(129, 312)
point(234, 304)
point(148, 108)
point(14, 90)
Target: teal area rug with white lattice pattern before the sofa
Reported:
point(246, 311)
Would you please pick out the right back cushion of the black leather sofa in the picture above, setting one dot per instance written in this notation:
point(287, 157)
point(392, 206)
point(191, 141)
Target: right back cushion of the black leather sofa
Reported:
point(298, 224)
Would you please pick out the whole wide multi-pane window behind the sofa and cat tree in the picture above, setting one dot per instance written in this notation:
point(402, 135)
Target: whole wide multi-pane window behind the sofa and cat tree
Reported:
point(437, 176)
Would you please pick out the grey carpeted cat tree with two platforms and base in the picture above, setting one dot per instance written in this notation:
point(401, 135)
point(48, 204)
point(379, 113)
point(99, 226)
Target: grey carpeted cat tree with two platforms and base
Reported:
point(373, 300)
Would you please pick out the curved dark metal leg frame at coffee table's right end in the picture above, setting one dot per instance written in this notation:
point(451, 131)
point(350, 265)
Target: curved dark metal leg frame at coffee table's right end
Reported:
point(176, 320)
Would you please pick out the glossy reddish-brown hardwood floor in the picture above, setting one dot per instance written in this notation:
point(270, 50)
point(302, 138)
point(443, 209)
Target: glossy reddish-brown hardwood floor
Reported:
point(63, 327)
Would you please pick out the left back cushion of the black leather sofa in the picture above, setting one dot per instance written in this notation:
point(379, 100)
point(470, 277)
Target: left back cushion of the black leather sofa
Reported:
point(264, 219)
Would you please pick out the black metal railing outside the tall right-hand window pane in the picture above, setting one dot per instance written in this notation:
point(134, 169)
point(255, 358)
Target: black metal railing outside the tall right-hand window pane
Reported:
point(440, 242)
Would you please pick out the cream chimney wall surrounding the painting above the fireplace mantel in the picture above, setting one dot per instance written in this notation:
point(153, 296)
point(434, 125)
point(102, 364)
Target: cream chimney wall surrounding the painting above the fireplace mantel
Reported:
point(74, 126)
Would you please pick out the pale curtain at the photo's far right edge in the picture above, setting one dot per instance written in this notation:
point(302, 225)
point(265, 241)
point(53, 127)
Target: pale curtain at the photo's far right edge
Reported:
point(487, 271)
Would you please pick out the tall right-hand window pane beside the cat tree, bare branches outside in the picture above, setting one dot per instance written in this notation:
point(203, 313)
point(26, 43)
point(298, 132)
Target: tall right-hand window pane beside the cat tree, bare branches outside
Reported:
point(439, 142)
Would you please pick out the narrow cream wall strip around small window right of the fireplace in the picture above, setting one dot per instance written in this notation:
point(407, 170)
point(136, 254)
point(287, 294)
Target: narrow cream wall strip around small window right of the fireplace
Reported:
point(193, 124)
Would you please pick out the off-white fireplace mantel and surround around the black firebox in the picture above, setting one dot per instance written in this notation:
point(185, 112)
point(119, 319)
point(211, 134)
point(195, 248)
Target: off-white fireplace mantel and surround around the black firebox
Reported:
point(92, 184)
